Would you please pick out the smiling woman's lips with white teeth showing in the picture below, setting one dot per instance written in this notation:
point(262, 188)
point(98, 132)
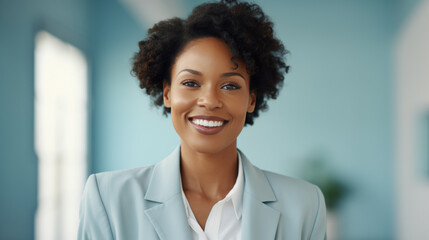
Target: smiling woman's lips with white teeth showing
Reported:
point(207, 124)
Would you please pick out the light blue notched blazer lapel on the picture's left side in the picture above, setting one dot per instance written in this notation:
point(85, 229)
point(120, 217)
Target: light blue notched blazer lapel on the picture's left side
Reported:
point(168, 215)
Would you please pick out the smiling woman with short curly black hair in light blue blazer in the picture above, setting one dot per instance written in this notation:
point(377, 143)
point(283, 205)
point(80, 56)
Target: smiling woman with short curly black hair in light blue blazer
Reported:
point(213, 72)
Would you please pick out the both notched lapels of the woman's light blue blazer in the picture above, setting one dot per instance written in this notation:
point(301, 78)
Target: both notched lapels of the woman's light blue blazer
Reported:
point(259, 221)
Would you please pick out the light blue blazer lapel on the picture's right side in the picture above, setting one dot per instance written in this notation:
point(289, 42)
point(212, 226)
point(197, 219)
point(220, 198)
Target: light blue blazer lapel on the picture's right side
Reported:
point(259, 221)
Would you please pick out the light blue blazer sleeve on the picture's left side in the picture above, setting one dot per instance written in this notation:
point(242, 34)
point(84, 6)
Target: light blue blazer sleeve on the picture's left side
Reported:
point(93, 220)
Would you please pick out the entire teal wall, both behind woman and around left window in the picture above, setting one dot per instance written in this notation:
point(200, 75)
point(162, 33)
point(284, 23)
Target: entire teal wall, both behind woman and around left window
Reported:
point(337, 101)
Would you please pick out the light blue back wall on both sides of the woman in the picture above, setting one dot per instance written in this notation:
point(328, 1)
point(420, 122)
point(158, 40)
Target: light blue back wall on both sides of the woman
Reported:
point(337, 100)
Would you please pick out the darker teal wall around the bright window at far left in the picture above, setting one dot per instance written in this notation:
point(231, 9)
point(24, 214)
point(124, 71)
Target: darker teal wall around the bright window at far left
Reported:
point(19, 22)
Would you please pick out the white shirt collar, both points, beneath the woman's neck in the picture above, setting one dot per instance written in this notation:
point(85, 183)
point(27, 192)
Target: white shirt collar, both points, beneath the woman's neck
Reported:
point(235, 194)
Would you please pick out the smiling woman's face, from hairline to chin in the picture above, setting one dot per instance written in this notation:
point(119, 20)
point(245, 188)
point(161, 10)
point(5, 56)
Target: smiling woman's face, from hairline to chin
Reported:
point(208, 96)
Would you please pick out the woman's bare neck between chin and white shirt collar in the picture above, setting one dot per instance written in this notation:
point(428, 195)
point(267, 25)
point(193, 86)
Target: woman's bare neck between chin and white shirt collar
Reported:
point(210, 174)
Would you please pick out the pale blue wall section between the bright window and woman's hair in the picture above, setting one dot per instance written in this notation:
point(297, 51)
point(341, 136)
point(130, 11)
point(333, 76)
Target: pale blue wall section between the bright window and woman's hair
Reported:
point(123, 124)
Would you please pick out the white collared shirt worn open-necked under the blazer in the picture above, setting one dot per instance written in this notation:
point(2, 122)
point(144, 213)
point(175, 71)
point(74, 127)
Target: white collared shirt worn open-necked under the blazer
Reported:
point(224, 221)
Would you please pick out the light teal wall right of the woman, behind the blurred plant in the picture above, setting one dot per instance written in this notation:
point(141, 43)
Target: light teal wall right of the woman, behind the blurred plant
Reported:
point(337, 103)
